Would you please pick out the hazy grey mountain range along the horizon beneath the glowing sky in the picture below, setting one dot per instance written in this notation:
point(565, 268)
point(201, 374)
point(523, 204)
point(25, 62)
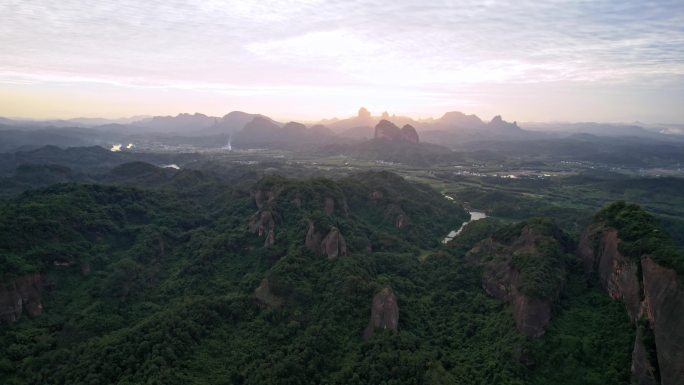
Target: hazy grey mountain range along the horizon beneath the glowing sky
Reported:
point(454, 130)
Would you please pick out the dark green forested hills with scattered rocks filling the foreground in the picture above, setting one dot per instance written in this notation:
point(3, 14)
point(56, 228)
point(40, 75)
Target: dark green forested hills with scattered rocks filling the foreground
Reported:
point(165, 277)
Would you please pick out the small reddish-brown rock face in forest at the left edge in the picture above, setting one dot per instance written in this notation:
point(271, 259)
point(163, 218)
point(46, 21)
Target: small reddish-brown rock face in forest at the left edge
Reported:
point(19, 296)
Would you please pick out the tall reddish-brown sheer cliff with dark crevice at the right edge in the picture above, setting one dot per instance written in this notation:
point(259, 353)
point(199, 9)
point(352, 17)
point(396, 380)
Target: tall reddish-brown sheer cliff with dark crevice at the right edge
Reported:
point(655, 296)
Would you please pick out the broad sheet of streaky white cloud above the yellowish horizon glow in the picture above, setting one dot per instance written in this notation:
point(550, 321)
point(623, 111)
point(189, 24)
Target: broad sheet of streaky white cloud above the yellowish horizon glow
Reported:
point(440, 48)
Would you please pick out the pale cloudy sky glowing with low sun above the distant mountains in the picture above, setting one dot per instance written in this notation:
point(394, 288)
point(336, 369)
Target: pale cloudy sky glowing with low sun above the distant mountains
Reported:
point(605, 61)
